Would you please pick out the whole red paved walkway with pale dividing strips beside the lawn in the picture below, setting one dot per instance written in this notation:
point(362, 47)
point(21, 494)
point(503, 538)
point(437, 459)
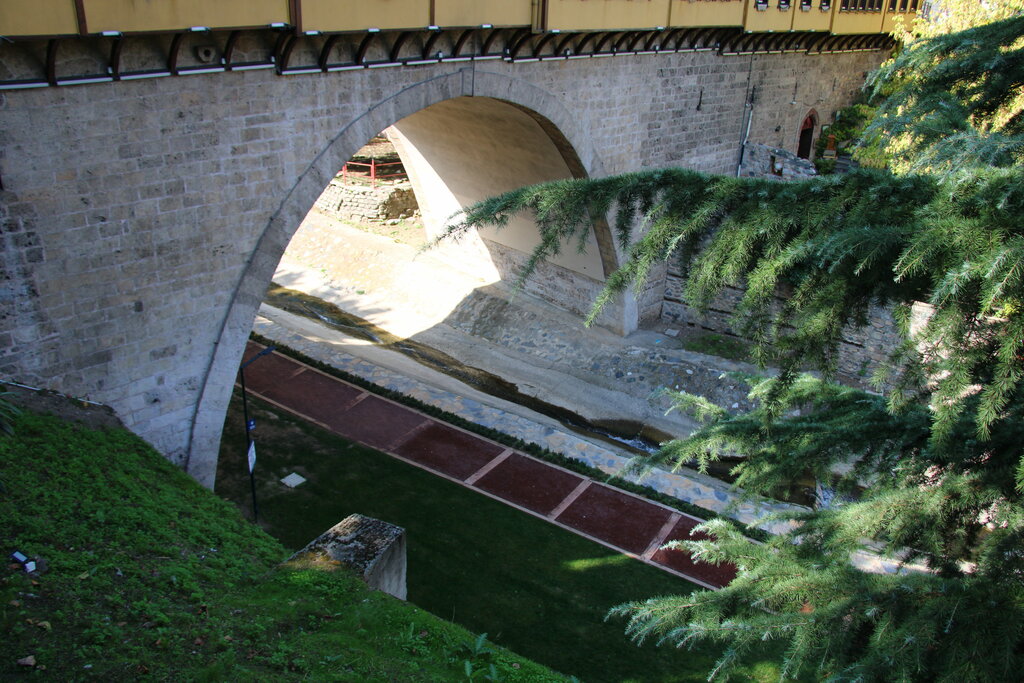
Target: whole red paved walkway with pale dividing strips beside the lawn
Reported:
point(614, 519)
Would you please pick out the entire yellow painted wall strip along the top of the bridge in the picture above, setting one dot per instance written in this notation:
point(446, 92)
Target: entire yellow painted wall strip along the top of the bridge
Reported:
point(41, 18)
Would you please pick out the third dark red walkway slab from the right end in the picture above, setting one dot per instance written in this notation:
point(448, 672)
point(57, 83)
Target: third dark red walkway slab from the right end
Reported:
point(530, 484)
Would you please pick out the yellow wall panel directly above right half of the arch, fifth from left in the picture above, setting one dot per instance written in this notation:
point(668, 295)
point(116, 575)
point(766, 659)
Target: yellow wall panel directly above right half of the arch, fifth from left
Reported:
point(607, 15)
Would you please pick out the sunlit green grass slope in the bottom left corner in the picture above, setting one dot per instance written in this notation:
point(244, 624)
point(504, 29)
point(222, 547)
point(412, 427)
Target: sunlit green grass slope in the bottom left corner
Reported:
point(147, 574)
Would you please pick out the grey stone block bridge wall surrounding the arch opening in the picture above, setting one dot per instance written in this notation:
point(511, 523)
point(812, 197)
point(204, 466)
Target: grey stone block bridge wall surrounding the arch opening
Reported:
point(142, 221)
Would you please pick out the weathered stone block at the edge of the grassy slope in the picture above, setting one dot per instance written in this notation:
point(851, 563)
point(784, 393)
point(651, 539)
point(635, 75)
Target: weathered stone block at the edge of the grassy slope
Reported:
point(374, 549)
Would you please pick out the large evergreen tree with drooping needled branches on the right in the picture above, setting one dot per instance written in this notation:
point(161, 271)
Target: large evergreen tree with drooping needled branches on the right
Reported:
point(934, 468)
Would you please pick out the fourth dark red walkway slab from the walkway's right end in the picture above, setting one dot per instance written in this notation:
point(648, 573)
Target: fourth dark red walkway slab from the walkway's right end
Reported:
point(449, 451)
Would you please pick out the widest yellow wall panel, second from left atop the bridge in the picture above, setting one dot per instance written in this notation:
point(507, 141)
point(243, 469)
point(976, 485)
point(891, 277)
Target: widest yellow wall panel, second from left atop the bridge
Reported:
point(127, 16)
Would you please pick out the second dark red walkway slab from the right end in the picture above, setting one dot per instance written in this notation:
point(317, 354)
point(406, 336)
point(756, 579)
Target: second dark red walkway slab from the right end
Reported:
point(617, 518)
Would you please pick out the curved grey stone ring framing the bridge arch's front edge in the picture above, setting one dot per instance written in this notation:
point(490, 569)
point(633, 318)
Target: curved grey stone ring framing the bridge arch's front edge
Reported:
point(571, 141)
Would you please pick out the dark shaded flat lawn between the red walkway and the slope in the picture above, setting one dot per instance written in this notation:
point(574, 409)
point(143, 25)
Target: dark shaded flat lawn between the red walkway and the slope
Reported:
point(533, 587)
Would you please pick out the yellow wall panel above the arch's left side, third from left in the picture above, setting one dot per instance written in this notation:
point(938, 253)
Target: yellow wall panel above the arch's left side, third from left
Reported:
point(363, 15)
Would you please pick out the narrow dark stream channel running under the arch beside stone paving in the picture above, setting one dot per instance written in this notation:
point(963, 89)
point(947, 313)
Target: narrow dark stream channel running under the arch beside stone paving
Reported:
point(632, 437)
